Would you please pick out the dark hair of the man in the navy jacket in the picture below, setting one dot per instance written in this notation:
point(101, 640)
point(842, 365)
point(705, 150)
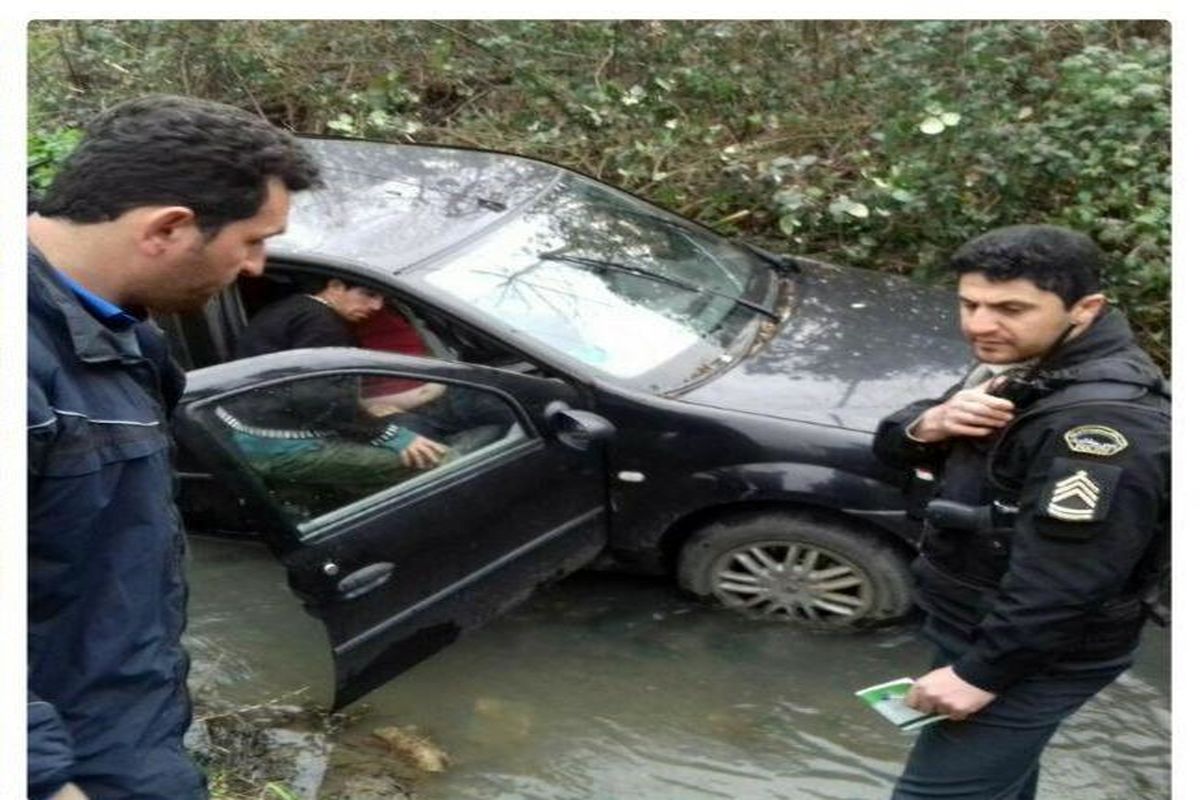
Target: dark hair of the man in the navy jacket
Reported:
point(170, 151)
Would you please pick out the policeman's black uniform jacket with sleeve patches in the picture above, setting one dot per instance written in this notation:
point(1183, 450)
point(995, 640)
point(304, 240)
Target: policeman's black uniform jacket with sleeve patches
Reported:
point(1079, 484)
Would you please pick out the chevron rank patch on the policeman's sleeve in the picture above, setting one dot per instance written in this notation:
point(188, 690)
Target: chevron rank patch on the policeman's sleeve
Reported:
point(1077, 492)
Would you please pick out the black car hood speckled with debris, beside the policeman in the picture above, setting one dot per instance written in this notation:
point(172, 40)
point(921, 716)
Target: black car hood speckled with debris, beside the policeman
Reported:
point(857, 346)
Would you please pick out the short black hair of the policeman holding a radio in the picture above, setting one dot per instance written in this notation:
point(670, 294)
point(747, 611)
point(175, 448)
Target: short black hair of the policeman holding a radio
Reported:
point(1054, 260)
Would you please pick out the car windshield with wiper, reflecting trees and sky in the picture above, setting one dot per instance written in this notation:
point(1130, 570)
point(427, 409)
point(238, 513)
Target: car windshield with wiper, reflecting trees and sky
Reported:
point(613, 282)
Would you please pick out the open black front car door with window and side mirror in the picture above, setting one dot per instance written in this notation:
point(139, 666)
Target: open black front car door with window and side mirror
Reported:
point(400, 561)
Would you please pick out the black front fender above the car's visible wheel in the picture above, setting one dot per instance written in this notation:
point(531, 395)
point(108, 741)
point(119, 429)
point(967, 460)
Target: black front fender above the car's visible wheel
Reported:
point(748, 459)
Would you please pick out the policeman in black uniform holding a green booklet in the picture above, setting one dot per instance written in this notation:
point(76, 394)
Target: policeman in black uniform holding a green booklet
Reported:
point(1049, 471)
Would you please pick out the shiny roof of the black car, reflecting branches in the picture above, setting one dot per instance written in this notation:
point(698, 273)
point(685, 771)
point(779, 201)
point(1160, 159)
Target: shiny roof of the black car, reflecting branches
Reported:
point(394, 206)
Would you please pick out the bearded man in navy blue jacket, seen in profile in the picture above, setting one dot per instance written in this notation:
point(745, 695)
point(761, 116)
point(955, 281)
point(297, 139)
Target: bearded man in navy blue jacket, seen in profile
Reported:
point(165, 202)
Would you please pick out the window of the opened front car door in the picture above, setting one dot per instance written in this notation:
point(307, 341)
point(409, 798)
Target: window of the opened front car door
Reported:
point(325, 444)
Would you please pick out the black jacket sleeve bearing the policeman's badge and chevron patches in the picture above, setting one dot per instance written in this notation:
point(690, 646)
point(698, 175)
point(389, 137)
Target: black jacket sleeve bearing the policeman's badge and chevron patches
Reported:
point(1084, 524)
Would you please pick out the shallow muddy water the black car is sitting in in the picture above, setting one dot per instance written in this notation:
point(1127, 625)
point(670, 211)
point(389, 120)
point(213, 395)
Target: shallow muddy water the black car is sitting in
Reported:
point(607, 688)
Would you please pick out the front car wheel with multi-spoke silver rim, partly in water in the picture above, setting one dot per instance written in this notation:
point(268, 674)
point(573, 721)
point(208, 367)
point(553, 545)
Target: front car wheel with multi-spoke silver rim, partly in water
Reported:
point(791, 567)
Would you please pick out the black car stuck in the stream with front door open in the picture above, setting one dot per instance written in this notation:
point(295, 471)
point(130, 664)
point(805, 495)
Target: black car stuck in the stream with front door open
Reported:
point(620, 388)
